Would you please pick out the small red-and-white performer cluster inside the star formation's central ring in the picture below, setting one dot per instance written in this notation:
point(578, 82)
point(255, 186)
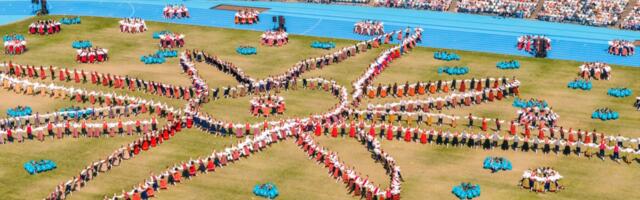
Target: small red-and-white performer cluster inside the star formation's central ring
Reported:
point(266, 106)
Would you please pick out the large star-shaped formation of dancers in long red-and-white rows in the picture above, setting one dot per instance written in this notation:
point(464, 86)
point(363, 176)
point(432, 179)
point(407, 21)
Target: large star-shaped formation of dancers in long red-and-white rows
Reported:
point(25, 80)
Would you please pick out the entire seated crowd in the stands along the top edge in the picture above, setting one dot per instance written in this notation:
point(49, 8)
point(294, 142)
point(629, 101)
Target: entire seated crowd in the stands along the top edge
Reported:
point(587, 12)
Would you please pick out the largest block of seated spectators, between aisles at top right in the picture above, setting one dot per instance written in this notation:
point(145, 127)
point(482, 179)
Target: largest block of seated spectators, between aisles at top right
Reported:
point(588, 12)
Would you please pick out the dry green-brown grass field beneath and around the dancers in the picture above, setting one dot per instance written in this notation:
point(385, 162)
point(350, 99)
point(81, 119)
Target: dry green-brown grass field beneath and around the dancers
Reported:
point(430, 171)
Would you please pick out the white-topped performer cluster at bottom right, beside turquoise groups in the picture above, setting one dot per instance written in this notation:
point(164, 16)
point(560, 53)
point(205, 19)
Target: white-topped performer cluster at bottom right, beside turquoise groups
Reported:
point(543, 179)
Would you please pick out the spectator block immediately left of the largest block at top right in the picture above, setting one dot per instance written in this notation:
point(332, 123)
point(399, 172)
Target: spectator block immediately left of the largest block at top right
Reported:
point(505, 8)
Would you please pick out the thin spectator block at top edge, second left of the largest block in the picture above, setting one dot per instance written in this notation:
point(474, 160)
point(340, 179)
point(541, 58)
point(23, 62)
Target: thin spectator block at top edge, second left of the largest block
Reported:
point(437, 5)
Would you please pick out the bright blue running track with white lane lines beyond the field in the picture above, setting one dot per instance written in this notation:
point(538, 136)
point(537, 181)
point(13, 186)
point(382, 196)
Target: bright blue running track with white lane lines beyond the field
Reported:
point(442, 29)
